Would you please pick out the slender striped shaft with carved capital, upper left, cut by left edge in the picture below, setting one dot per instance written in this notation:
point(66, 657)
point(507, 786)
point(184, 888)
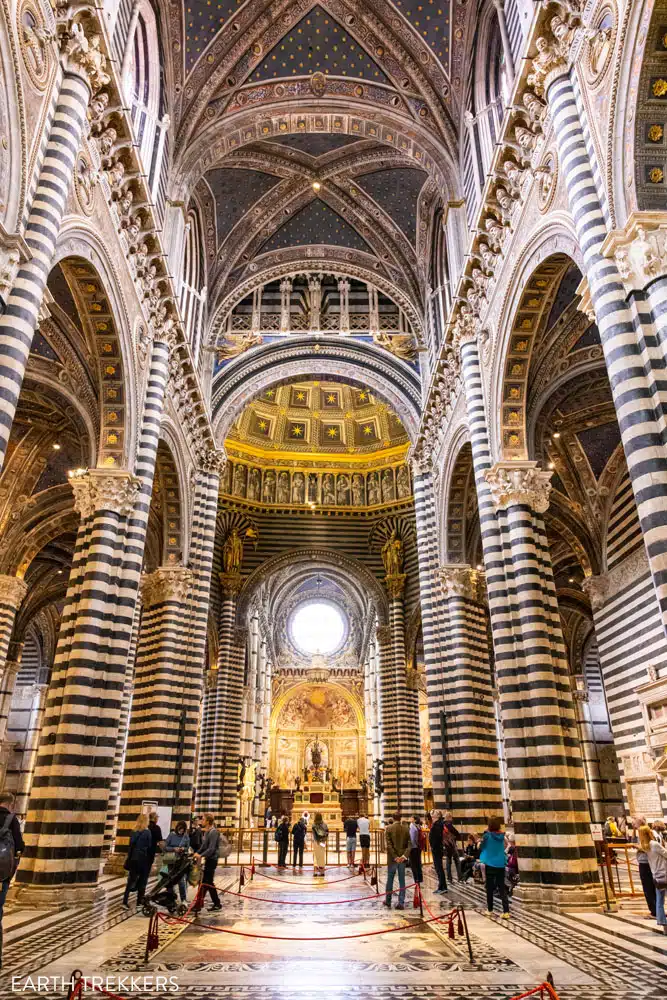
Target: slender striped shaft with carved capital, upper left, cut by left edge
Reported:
point(79, 75)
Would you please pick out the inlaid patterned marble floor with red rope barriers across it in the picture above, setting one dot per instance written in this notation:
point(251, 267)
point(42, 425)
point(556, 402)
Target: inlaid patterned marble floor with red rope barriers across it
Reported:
point(591, 956)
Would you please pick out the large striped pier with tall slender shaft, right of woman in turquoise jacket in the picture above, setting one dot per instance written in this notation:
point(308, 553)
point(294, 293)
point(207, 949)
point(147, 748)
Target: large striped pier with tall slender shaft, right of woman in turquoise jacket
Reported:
point(544, 768)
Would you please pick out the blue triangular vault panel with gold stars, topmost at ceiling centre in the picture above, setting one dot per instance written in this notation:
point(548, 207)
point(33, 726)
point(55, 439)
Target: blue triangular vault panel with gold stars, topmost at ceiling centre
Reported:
point(318, 43)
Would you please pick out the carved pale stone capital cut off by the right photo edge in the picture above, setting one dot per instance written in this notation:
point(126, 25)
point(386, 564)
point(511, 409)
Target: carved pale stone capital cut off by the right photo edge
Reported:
point(639, 249)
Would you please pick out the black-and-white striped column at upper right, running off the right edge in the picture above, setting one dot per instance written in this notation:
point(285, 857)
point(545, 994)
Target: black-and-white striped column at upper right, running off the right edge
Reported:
point(633, 356)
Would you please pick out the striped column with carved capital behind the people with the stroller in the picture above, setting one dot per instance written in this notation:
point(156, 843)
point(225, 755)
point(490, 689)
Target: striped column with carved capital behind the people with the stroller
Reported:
point(159, 760)
